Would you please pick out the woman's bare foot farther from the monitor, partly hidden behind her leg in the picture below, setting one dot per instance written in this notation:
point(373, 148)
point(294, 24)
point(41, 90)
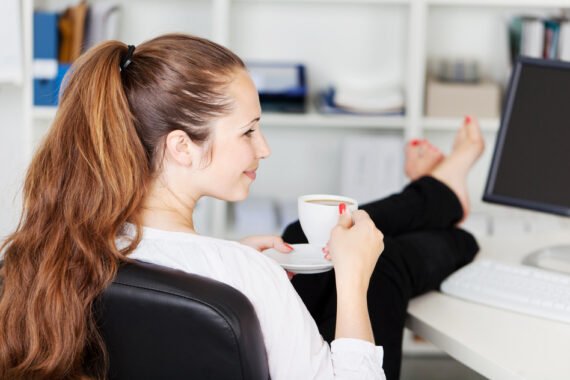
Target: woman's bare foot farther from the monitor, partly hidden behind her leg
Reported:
point(421, 158)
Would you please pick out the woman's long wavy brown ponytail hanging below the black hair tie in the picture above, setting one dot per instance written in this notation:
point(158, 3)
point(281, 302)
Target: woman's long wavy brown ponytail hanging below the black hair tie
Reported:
point(85, 181)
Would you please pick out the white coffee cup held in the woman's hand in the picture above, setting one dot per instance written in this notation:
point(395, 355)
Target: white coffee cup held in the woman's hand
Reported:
point(319, 213)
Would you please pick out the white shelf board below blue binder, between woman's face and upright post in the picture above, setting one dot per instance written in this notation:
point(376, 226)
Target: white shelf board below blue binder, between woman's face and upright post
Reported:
point(316, 120)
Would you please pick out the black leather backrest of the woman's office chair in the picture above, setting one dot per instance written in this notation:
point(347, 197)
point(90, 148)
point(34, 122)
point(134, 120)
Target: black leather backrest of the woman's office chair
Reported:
point(160, 323)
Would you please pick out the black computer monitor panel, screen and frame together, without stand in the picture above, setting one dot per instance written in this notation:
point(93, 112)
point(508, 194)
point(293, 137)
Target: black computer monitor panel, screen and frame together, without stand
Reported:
point(531, 162)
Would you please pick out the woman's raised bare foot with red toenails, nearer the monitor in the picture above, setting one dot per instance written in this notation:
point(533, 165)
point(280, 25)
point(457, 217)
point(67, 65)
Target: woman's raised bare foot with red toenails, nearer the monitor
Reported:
point(453, 170)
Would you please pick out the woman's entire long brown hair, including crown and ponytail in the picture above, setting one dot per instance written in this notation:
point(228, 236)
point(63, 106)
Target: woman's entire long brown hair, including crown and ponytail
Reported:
point(86, 180)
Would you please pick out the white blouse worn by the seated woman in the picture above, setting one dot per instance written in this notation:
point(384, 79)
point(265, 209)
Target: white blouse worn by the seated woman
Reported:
point(295, 349)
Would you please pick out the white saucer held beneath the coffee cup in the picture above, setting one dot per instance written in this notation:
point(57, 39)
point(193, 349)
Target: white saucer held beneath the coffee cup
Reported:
point(304, 259)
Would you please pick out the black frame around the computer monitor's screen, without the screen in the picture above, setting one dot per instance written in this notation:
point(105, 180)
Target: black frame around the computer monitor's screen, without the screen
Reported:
point(488, 195)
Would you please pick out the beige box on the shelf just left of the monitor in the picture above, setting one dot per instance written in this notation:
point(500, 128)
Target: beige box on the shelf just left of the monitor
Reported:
point(459, 99)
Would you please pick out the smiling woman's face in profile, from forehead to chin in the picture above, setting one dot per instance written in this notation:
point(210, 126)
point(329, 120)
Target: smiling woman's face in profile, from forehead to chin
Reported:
point(238, 144)
